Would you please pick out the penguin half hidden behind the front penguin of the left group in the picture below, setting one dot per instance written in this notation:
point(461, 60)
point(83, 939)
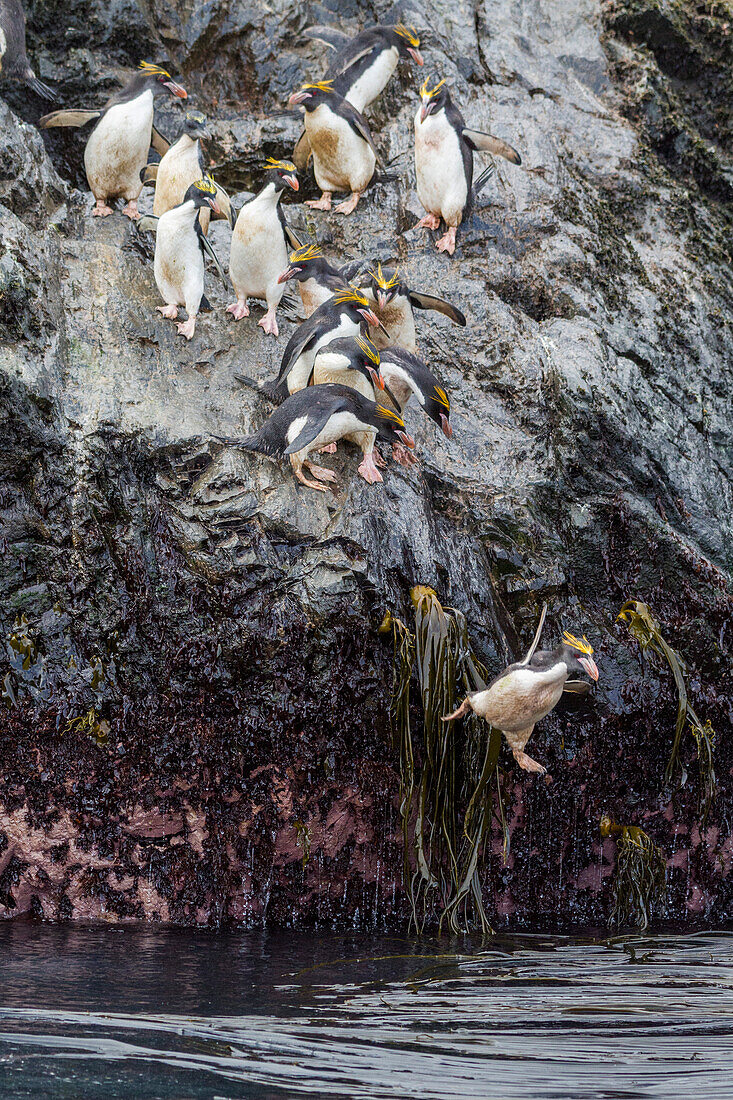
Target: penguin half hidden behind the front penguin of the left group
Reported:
point(181, 167)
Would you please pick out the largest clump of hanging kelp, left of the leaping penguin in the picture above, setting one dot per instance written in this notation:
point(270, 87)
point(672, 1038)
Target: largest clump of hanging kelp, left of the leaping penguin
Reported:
point(446, 799)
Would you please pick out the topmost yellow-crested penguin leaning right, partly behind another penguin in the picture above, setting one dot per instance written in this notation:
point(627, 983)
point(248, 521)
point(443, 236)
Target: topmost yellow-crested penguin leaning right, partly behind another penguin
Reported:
point(363, 67)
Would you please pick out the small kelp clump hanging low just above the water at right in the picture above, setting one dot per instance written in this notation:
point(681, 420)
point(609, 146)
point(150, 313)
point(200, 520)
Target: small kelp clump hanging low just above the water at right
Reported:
point(640, 882)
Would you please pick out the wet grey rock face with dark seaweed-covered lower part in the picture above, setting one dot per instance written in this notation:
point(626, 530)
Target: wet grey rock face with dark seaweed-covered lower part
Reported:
point(195, 718)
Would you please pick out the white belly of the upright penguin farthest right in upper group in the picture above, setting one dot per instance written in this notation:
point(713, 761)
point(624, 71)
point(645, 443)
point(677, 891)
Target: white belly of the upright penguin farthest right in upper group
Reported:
point(442, 184)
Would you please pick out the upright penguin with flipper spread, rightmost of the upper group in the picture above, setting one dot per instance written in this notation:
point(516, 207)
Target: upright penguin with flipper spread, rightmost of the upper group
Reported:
point(444, 162)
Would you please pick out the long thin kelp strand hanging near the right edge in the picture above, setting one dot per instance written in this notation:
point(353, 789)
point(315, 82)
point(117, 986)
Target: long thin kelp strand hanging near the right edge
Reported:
point(647, 631)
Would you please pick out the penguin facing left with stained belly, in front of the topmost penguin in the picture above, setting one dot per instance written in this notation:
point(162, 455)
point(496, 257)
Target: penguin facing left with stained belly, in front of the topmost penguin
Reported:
point(344, 155)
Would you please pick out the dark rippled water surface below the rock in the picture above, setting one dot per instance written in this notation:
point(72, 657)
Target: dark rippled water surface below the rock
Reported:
point(123, 1014)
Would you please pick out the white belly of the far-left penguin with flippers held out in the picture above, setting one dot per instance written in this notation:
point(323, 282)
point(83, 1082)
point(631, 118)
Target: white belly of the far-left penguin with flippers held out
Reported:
point(117, 150)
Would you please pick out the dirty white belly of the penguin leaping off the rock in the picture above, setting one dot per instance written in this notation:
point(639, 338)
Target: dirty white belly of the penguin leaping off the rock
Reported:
point(520, 700)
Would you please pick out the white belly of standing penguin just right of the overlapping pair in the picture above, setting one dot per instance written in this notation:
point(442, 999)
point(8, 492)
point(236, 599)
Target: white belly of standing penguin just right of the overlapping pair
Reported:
point(259, 254)
